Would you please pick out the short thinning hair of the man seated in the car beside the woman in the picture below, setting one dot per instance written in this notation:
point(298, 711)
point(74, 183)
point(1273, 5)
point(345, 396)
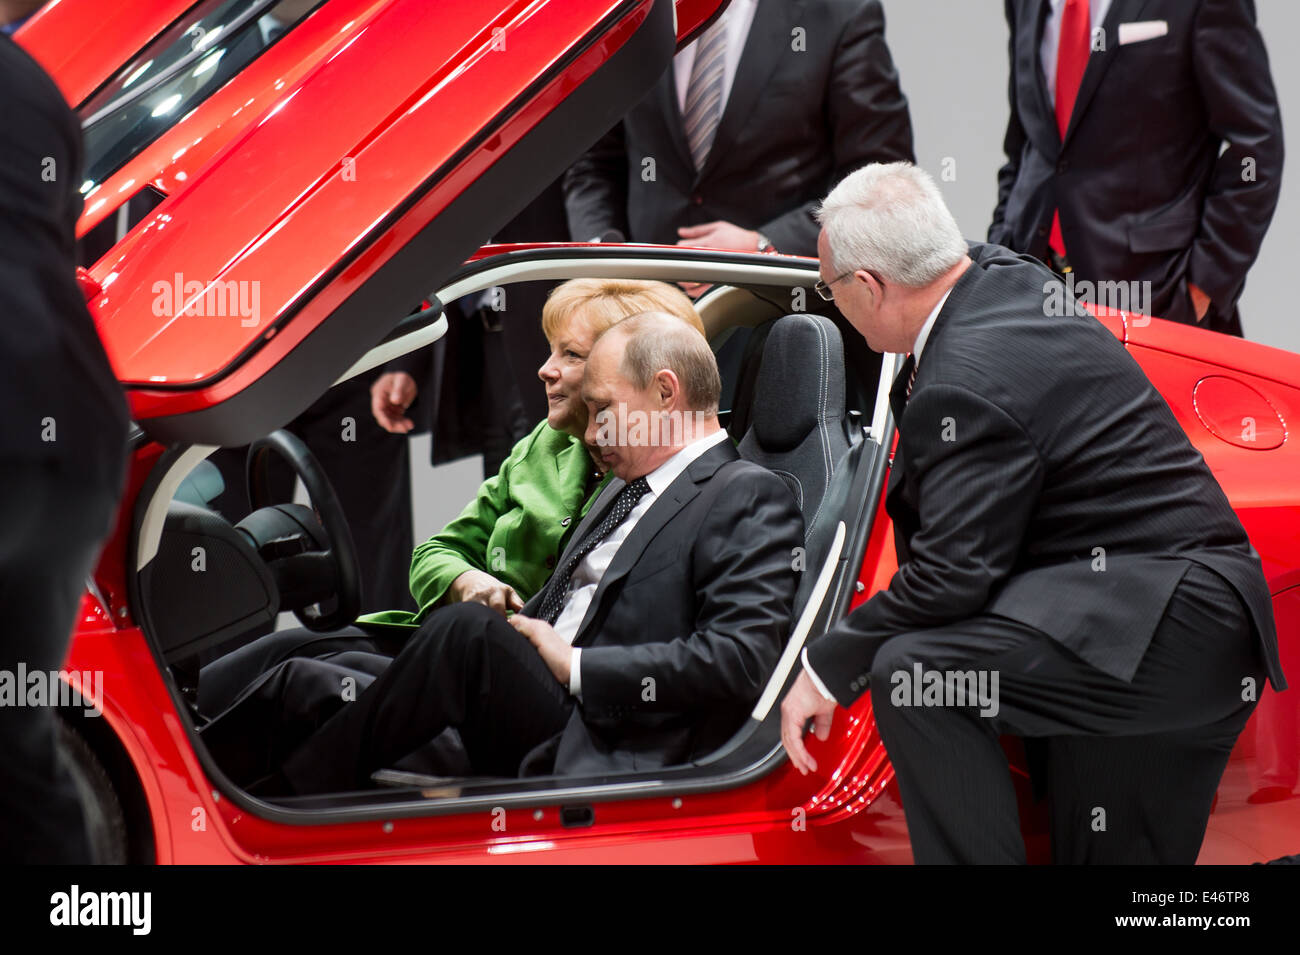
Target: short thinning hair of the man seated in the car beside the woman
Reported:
point(656, 341)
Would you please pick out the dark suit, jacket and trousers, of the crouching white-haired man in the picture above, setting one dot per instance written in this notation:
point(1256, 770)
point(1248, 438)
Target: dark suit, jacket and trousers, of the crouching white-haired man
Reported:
point(1055, 526)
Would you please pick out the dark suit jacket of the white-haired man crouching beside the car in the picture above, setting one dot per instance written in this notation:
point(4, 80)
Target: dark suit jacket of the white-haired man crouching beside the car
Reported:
point(1029, 444)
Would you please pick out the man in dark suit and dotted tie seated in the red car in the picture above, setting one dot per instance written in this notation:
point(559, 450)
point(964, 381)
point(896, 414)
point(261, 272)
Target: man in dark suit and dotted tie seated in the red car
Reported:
point(655, 637)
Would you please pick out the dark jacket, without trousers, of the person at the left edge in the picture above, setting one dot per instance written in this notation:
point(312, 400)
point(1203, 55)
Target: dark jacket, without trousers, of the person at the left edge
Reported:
point(53, 364)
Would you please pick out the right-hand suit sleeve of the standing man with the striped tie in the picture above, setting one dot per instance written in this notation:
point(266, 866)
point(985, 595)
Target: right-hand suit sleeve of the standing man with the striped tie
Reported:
point(866, 115)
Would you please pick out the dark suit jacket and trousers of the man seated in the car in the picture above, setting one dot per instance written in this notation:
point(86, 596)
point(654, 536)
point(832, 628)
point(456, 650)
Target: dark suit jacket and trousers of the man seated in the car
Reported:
point(681, 639)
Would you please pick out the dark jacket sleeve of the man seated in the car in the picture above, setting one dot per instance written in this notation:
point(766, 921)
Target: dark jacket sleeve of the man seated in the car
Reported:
point(743, 559)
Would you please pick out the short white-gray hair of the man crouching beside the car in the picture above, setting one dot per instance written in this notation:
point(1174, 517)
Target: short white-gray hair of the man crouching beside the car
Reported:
point(890, 218)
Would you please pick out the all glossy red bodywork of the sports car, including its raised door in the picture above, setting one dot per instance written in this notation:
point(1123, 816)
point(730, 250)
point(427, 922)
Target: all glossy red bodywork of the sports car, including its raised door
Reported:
point(262, 196)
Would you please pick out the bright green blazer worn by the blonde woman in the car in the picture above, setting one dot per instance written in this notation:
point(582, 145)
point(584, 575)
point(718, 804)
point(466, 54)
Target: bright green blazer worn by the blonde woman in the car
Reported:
point(514, 529)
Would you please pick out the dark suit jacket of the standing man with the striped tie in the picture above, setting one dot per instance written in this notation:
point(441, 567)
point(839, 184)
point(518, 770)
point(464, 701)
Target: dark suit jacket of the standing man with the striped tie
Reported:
point(796, 123)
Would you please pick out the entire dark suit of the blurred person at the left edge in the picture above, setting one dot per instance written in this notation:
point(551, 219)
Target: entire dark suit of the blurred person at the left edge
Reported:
point(63, 449)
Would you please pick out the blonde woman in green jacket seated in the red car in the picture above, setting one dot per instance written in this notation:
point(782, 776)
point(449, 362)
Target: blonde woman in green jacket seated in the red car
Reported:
point(504, 546)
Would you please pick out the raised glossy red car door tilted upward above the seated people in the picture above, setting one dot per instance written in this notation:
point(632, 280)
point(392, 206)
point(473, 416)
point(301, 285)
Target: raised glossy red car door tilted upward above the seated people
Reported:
point(411, 88)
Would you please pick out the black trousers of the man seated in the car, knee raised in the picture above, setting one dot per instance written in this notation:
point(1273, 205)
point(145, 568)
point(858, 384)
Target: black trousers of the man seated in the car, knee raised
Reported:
point(466, 667)
